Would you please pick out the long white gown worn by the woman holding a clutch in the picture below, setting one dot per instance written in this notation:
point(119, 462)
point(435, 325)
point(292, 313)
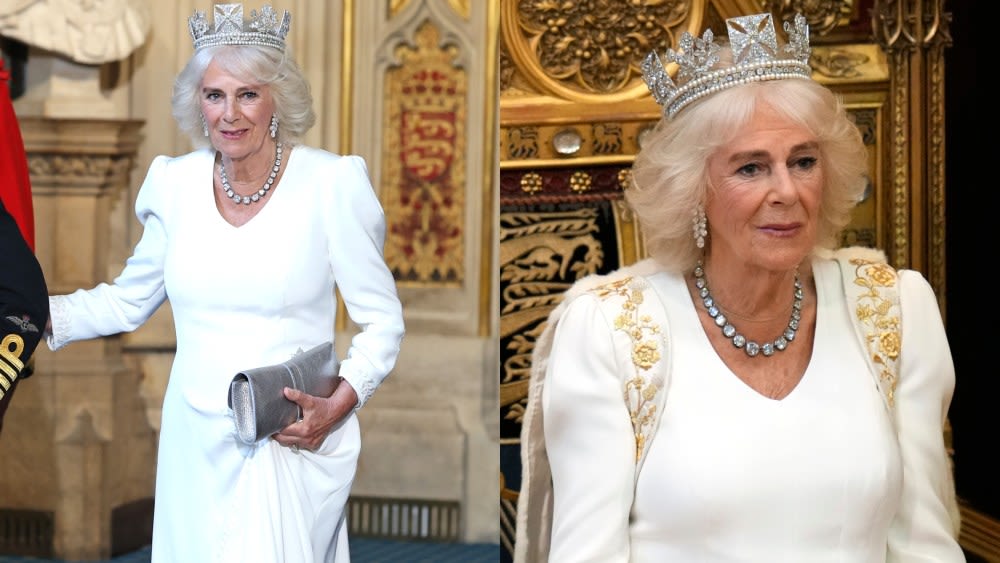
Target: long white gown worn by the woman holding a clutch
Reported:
point(244, 297)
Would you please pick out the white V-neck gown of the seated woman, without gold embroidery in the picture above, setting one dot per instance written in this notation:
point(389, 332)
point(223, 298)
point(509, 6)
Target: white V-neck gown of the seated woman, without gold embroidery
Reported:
point(733, 476)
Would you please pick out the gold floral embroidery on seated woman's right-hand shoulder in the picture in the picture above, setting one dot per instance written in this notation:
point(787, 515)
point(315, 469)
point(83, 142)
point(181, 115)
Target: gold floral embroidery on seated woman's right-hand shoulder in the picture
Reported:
point(879, 319)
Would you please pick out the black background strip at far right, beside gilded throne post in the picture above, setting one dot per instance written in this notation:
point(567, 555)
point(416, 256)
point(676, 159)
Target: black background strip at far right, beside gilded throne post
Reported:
point(971, 239)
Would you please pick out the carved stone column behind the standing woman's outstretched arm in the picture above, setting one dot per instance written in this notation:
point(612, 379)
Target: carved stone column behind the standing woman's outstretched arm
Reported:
point(76, 442)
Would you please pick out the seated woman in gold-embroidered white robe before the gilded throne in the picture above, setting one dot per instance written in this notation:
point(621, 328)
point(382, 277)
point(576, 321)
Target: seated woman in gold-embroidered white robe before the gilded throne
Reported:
point(744, 394)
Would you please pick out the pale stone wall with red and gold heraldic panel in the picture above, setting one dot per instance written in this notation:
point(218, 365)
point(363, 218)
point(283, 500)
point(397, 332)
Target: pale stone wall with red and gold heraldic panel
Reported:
point(424, 74)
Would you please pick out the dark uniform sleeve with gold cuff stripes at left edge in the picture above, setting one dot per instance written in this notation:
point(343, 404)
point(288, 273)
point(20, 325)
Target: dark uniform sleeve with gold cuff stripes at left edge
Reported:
point(24, 306)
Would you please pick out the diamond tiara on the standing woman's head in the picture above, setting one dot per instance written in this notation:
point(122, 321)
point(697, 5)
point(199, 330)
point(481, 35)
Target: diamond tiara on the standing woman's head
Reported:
point(262, 29)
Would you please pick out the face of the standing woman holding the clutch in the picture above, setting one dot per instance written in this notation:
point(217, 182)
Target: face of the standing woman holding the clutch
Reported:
point(238, 113)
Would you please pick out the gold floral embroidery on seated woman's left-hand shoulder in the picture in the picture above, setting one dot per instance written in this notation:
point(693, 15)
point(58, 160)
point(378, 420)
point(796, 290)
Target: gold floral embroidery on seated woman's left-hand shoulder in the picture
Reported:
point(647, 351)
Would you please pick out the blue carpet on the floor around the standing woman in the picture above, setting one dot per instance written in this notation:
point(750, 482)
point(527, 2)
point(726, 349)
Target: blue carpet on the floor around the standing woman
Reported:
point(363, 550)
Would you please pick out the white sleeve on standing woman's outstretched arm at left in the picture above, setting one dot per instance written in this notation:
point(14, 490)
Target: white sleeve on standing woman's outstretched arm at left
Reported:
point(127, 302)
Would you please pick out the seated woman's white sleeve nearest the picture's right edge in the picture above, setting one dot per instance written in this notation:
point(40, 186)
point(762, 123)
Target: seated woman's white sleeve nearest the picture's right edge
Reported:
point(925, 529)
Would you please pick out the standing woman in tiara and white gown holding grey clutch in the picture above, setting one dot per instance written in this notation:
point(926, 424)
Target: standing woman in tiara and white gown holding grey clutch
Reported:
point(248, 237)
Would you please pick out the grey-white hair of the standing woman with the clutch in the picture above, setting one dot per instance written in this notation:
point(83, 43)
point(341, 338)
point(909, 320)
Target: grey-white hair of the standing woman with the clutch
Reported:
point(263, 65)
